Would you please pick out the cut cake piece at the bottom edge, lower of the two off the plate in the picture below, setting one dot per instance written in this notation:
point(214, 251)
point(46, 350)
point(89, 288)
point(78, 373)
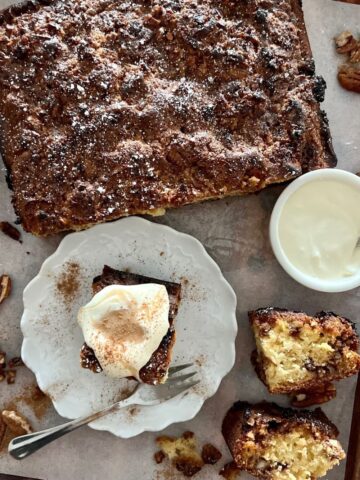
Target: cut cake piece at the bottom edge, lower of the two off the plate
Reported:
point(274, 443)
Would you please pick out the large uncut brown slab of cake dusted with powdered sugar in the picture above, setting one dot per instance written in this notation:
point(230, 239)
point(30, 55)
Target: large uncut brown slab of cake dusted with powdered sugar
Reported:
point(113, 108)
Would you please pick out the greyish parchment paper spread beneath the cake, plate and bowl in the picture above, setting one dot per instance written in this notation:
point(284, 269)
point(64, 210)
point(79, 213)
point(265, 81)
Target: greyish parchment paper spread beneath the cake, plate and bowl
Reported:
point(235, 233)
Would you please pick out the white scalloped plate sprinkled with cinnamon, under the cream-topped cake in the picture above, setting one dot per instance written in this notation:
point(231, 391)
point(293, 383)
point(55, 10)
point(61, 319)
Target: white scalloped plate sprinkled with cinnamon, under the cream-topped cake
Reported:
point(206, 323)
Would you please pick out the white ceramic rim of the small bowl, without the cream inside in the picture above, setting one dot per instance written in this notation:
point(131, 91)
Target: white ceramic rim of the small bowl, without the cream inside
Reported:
point(337, 285)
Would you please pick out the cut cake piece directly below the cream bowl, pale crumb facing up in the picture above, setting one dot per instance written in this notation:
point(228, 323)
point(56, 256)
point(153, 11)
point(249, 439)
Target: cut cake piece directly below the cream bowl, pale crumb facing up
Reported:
point(299, 353)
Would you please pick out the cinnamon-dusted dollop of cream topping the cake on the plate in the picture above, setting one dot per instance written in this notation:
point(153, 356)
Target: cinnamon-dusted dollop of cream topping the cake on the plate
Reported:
point(124, 325)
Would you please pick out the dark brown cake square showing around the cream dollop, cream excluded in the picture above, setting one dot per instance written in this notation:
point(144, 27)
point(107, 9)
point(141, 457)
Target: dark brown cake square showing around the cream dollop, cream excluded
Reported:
point(156, 369)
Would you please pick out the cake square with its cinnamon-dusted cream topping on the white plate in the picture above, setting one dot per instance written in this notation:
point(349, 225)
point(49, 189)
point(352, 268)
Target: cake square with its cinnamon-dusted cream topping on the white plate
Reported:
point(128, 326)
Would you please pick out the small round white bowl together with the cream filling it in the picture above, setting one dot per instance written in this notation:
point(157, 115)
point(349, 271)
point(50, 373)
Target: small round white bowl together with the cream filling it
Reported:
point(315, 230)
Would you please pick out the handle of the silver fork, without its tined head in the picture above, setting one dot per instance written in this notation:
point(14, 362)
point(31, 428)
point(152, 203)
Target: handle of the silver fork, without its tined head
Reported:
point(25, 445)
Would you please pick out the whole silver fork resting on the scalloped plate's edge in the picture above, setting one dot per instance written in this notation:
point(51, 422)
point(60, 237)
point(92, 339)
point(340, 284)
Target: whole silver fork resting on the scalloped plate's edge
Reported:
point(22, 447)
